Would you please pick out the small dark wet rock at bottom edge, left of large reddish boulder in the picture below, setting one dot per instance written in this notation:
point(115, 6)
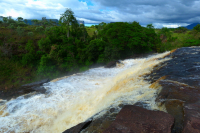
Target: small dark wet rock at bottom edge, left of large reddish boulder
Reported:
point(78, 128)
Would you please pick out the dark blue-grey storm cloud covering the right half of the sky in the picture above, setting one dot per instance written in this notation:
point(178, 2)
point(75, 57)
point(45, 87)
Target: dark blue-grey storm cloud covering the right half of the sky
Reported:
point(156, 11)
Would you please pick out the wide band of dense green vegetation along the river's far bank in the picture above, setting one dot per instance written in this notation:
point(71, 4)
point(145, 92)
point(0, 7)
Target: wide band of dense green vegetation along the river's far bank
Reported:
point(44, 50)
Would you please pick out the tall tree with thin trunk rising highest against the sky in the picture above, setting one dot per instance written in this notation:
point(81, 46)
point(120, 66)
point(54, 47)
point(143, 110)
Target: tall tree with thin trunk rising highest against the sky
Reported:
point(68, 19)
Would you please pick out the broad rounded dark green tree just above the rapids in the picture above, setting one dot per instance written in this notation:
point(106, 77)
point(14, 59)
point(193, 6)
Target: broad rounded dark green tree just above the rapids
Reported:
point(123, 39)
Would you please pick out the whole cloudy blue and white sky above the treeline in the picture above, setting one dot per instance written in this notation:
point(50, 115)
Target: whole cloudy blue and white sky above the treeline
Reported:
point(160, 13)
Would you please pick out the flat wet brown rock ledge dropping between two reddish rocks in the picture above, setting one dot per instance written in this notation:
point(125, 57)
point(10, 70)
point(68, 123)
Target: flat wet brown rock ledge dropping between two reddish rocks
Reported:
point(174, 95)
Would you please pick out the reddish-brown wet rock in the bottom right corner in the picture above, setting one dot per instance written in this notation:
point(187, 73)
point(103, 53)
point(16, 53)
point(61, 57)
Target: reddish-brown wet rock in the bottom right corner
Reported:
point(192, 118)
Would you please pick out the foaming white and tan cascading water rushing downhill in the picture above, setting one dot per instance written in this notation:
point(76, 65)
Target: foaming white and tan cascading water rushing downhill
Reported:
point(76, 98)
